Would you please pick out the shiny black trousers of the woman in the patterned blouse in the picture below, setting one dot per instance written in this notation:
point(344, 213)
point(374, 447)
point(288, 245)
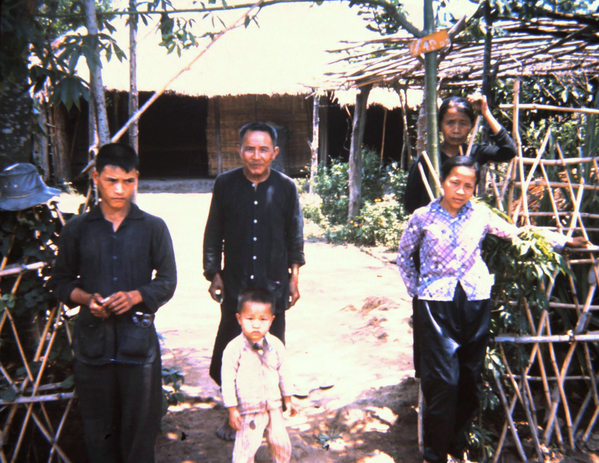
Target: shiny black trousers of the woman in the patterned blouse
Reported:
point(453, 340)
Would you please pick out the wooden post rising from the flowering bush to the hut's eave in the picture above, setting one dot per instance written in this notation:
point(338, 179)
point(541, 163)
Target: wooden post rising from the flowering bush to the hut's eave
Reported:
point(355, 152)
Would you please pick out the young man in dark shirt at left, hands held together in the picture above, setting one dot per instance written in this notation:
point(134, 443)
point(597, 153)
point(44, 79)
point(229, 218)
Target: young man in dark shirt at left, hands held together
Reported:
point(105, 264)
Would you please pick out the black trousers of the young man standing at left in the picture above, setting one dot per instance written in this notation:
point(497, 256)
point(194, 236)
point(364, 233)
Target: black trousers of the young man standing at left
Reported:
point(121, 408)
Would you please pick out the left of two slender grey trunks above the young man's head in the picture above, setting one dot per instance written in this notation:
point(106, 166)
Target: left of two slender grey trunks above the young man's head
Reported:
point(95, 73)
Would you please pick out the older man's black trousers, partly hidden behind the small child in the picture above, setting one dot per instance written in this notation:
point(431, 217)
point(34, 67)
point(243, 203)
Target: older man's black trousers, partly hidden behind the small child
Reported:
point(229, 329)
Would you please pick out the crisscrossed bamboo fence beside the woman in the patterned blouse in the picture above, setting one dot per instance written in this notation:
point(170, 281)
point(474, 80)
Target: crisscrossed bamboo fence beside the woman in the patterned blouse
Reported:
point(543, 414)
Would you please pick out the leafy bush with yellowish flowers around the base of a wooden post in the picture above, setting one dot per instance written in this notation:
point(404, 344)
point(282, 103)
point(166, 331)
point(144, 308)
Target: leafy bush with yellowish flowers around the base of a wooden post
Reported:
point(380, 218)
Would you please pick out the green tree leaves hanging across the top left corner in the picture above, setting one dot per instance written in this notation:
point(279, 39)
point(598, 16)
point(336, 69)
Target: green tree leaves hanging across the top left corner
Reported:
point(41, 42)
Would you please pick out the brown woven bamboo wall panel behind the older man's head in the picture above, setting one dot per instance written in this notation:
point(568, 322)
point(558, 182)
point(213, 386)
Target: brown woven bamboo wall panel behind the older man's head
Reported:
point(289, 111)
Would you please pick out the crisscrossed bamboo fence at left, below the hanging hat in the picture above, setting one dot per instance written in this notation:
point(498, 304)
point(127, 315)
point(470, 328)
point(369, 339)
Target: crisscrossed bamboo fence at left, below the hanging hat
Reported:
point(33, 391)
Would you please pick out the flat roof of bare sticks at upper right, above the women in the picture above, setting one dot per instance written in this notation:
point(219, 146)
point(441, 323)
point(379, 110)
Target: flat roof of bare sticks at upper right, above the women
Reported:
point(537, 46)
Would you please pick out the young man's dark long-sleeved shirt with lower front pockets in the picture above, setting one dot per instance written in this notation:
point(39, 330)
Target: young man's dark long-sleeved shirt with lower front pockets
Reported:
point(95, 258)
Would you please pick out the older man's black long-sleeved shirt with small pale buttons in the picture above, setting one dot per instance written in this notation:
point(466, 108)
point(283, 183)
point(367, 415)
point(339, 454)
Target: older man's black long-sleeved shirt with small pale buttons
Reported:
point(260, 231)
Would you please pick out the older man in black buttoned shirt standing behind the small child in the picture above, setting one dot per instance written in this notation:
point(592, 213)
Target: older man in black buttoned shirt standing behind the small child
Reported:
point(255, 220)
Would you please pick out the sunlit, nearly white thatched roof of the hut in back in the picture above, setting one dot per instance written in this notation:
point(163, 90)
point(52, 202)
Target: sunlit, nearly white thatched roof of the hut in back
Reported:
point(287, 54)
